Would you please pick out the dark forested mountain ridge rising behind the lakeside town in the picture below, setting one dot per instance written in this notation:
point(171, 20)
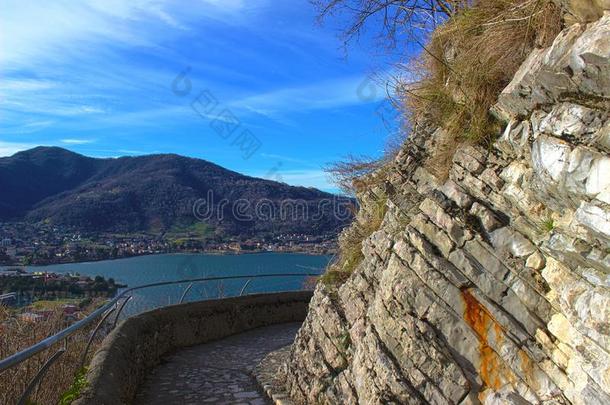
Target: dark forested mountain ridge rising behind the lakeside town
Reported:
point(157, 193)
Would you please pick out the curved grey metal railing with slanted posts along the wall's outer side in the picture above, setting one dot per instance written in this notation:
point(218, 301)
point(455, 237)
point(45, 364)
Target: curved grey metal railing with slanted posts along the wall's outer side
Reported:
point(115, 306)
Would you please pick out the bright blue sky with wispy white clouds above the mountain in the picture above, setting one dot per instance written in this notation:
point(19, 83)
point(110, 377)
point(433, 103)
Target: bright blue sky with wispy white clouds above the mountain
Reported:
point(101, 77)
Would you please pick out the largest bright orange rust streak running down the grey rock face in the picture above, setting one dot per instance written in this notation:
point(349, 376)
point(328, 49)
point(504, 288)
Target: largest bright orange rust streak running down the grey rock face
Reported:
point(480, 321)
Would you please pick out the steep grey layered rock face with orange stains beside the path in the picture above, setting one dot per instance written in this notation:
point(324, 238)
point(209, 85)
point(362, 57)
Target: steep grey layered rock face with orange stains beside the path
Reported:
point(493, 286)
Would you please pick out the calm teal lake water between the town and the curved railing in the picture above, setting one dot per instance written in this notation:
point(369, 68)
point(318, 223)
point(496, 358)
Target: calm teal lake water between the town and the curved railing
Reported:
point(143, 270)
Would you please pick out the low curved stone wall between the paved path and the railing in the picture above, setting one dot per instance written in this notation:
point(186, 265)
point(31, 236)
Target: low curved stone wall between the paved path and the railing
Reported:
point(138, 344)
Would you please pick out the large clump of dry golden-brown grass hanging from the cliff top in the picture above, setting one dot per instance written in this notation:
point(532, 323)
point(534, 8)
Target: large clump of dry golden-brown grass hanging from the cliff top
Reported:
point(467, 63)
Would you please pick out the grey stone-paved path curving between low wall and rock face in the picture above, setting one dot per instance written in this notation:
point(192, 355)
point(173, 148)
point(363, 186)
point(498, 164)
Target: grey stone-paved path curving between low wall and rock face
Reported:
point(217, 372)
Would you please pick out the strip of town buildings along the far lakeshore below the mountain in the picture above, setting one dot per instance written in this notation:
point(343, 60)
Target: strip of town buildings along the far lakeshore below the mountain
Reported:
point(25, 244)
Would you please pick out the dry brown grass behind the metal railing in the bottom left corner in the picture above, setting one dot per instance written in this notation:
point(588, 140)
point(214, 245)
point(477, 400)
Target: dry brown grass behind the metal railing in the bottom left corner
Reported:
point(16, 335)
